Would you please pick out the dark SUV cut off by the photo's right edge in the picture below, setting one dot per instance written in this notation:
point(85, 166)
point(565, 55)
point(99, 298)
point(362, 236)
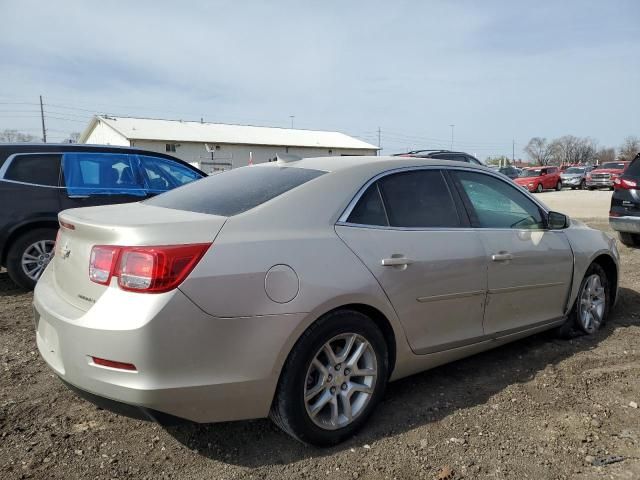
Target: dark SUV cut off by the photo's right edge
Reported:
point(624, 214)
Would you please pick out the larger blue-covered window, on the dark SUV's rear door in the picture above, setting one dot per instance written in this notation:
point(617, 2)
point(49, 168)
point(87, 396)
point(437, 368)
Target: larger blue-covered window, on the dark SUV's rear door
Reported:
point(102, 174)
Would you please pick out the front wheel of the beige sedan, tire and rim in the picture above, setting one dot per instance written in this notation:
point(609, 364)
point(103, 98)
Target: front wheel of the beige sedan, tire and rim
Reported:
point(591, 308)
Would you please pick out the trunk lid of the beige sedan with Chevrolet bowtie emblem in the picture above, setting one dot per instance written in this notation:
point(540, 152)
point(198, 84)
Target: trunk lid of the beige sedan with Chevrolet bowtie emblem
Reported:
point(133, 224)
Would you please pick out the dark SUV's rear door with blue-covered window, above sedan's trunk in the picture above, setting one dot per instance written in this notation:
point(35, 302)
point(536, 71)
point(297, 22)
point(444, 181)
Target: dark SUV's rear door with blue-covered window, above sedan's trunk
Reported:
point(100, 178)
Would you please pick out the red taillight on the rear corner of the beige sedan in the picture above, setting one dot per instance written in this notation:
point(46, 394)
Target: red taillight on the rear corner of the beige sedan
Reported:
point(152, 269)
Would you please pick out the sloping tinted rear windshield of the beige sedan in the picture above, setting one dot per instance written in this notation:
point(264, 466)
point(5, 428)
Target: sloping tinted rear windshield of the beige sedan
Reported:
point(235, 191)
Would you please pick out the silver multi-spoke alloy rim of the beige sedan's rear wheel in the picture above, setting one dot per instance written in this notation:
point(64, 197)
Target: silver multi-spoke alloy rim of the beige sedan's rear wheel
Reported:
point(340, 381)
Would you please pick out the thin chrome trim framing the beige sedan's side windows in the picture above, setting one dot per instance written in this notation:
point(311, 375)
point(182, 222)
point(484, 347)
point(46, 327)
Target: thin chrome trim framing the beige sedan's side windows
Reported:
point(342, 220)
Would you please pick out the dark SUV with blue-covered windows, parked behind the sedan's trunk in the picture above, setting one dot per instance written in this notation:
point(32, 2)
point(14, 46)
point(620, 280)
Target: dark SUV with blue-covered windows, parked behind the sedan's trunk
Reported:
point(39, 180)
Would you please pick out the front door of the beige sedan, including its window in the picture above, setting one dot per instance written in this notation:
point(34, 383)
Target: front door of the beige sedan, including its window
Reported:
point(530, 267)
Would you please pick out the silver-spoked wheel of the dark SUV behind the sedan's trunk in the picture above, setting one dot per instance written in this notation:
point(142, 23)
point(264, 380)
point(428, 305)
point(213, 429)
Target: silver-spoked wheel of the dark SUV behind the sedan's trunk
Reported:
point(29, 255)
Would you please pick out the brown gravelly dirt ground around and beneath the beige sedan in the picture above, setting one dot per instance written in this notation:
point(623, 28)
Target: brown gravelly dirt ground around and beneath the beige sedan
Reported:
point(541, 408)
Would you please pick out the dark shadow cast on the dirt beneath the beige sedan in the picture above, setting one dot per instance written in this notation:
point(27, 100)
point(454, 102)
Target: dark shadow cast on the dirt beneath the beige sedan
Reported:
point(411, 402)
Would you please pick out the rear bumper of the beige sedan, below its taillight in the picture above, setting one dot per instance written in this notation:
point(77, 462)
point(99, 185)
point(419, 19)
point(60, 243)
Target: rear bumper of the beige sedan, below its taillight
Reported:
point(189, 364)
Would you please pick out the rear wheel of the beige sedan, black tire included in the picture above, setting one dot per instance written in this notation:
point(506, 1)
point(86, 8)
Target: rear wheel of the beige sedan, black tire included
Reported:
point(332, 380)
